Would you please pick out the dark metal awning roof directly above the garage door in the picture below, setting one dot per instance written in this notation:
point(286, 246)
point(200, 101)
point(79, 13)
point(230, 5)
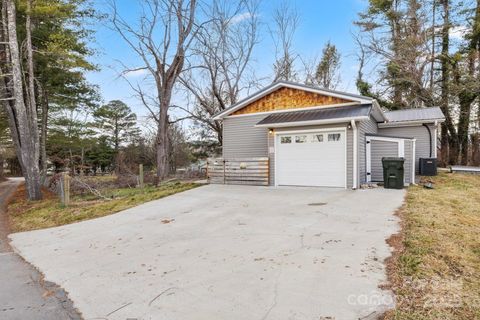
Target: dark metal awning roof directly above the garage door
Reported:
point(318, 114)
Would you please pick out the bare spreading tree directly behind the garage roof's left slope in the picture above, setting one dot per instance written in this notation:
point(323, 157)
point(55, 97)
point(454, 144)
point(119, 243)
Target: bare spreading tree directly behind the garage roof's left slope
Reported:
point(221, 61)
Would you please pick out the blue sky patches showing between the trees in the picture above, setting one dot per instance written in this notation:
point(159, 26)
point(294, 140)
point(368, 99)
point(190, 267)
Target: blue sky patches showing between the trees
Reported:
point(320, 21)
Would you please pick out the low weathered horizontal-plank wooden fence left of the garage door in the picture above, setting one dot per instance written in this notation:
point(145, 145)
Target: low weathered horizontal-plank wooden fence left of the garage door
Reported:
point(252, 171)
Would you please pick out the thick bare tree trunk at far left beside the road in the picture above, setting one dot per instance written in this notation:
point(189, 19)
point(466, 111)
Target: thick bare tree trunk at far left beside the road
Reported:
point(19, 98)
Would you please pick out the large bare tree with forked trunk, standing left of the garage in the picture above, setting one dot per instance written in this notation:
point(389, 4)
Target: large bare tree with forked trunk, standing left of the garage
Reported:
point(161, 39)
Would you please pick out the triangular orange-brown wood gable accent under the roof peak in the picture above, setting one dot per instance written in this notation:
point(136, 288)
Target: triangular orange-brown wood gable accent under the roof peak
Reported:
point(289, 98)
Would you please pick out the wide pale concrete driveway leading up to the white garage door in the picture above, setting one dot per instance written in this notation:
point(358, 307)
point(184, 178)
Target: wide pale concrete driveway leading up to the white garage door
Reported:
point(226, 252)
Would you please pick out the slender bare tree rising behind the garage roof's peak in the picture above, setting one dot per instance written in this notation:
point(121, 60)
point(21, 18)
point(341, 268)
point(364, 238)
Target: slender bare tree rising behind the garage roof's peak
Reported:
point(286, 21)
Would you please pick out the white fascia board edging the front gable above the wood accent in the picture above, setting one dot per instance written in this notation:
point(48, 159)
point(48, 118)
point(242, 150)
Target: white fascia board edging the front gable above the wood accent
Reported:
point(263, 93)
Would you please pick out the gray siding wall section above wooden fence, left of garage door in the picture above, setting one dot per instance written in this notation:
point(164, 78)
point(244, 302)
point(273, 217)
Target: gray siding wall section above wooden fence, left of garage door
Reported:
point(241, 139)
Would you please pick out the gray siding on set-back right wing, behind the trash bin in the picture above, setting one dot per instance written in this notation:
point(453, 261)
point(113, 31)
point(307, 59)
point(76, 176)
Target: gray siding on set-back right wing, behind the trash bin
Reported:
point(420, 133)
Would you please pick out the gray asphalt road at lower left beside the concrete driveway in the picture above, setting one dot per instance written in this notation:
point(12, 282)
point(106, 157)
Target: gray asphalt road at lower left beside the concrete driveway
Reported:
point(23, 293)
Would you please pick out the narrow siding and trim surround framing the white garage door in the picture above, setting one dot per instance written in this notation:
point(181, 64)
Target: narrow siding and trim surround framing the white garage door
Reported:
point(271, 138)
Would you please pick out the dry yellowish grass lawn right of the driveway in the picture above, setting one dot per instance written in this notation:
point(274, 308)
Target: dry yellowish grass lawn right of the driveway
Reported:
point(435, 270)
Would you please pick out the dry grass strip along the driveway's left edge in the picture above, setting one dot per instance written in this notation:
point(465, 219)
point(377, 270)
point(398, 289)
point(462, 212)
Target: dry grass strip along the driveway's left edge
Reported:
point(25, 215)
